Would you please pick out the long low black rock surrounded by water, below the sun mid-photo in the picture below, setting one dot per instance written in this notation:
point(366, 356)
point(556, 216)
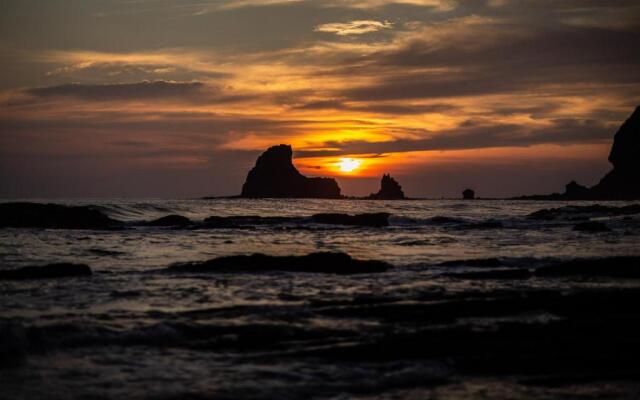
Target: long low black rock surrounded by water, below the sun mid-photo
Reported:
point(331, 263)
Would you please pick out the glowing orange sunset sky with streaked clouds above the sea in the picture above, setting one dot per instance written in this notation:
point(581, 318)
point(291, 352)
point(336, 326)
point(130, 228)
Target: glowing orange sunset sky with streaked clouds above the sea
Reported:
point(165, 98)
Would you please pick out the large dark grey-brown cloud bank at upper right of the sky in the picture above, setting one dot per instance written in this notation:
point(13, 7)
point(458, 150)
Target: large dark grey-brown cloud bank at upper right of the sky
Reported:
point(473, 57)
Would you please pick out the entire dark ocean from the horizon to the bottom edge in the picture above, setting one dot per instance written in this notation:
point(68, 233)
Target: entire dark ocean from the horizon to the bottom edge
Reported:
point(483, 299)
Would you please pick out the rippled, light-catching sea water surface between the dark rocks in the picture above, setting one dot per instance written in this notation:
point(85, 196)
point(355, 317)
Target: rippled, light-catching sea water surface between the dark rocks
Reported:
point(133, 331)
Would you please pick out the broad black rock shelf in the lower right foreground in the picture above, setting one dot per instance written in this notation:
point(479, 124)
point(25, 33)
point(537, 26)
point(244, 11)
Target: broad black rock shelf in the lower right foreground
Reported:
point(581, 340)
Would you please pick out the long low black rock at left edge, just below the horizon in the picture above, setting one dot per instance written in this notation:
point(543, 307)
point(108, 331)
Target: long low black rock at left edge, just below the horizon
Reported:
point(53, 216)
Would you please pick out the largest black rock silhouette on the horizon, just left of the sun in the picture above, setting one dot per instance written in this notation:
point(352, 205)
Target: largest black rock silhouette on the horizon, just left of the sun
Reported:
point(274, 175)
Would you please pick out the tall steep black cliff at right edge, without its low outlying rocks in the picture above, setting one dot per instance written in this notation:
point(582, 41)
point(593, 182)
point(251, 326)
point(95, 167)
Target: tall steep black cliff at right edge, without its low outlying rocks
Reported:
point(623, 182)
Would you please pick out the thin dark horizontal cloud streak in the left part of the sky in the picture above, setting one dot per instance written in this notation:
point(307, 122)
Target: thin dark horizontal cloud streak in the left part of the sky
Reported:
point(120, 91)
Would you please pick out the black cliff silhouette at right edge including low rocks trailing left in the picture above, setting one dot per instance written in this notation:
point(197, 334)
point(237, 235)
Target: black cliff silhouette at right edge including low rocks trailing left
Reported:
point(623, 182)
